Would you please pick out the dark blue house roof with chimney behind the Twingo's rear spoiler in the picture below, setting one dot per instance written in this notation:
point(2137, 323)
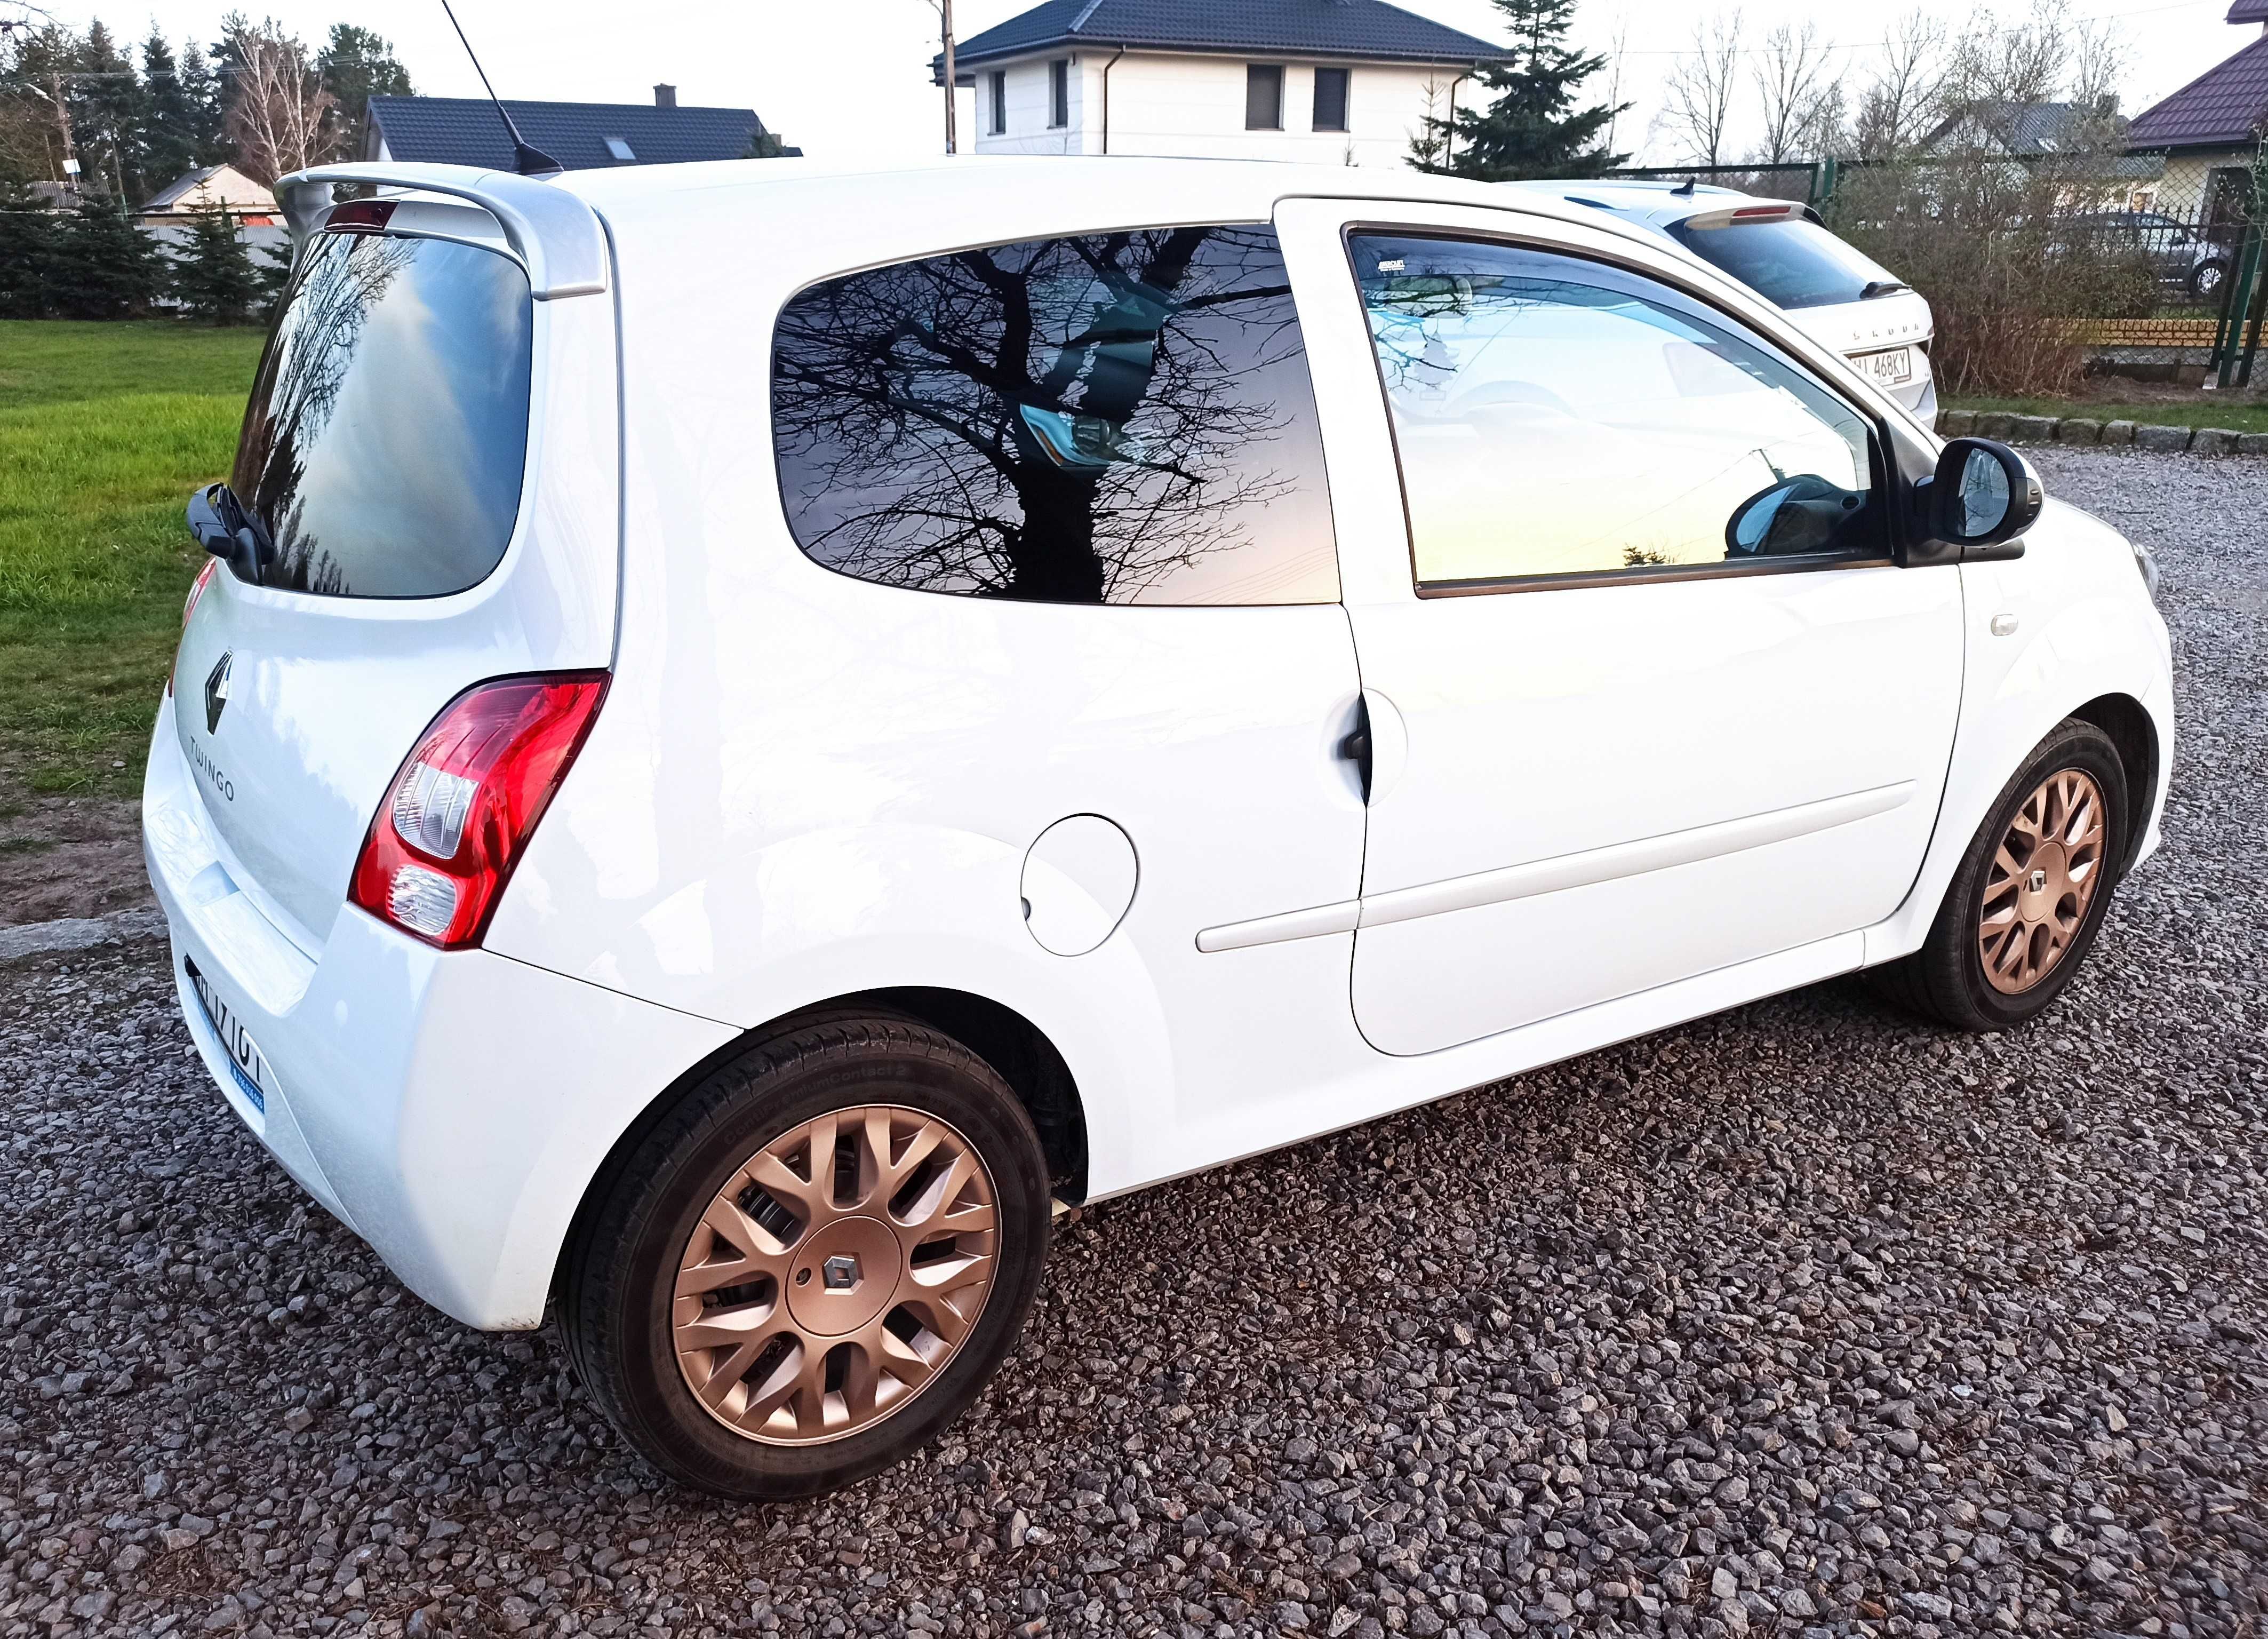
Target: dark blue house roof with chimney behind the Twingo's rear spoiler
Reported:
point(579, 135)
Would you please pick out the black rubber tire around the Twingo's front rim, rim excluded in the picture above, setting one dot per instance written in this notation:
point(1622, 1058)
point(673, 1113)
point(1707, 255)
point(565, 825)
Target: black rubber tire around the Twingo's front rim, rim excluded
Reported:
point(1945, 980)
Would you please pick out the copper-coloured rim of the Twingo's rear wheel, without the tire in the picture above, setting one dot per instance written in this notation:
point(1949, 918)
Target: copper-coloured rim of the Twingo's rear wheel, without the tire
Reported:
point(836, 1275)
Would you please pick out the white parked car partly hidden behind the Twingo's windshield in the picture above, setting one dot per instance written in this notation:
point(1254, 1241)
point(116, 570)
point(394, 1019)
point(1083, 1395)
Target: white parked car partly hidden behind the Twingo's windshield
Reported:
point(1782, 251)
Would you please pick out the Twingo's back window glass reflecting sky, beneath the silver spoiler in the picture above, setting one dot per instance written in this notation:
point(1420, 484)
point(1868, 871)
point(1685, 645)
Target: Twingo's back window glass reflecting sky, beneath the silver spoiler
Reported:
point(389, 428)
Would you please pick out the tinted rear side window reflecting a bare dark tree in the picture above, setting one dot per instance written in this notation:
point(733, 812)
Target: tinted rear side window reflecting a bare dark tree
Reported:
point(1119, 419)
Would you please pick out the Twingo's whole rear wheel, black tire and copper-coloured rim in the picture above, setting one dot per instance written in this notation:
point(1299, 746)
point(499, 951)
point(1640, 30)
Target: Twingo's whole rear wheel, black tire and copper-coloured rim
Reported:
point(813, 1263)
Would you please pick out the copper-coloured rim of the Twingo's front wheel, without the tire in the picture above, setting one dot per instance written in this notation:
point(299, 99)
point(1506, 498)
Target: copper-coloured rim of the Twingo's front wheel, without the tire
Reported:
point(2042, 880)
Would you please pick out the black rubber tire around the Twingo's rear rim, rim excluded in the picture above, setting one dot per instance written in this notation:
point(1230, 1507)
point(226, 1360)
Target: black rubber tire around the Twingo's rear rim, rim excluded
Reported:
point(616, 1300)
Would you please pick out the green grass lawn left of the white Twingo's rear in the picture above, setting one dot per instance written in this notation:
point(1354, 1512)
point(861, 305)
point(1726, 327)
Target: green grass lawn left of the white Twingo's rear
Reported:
point(103, 435)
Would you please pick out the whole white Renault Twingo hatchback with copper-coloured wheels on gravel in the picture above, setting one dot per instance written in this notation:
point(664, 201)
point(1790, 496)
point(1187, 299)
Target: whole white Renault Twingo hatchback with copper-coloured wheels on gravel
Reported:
point(752, 728)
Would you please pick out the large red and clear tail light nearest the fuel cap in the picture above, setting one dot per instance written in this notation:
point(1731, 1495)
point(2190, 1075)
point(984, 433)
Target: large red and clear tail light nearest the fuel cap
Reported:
point(466, 802)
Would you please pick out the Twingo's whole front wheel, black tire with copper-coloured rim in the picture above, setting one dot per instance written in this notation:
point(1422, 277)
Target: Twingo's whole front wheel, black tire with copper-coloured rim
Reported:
point(2031, 893)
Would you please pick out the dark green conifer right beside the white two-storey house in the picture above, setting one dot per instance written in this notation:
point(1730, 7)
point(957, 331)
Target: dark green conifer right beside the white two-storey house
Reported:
point(1532, 126)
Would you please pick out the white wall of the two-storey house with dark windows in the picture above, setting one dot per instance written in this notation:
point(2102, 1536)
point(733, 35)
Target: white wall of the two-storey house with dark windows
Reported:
point(1196, 108)
